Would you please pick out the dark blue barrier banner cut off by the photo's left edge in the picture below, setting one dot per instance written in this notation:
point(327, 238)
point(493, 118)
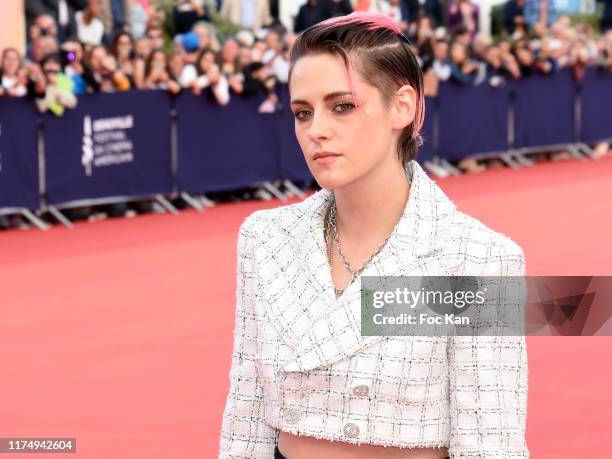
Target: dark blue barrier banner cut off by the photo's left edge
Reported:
point(18, 153)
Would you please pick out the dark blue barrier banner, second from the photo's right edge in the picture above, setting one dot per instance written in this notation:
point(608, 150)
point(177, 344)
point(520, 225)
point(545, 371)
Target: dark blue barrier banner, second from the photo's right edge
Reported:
point(544, 110)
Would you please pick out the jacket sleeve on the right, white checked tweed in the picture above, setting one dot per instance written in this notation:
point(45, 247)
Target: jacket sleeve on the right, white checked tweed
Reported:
point(488, 382)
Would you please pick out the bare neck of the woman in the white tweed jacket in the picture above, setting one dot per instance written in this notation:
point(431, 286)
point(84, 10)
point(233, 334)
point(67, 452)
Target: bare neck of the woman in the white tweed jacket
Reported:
point(371, 207)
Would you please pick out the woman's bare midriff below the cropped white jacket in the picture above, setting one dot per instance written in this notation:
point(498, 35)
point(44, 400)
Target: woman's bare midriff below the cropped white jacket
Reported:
point(304, 447)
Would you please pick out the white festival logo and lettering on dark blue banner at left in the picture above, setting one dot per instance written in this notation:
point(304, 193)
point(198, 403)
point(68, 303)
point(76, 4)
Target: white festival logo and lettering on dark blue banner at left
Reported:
point(106, 142)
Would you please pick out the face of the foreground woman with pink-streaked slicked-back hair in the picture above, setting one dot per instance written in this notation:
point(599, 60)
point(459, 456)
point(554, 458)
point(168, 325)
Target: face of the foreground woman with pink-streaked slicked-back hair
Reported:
point(326, 119)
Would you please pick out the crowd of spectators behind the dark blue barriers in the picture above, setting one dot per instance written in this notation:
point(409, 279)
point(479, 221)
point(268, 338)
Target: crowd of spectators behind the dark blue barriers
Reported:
point(88, 46)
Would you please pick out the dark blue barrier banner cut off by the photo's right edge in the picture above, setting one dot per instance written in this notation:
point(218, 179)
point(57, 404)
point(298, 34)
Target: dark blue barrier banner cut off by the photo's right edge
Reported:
point(596, 96)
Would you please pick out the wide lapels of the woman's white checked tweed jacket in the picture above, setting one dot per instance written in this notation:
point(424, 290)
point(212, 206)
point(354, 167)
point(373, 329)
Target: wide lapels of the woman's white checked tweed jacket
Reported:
point(320, 328)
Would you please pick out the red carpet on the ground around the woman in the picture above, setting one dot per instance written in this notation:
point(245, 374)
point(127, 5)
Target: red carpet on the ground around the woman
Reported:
point(119, 332)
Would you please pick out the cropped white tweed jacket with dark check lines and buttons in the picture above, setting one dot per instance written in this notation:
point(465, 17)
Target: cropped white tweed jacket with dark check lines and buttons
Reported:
point(300, 364)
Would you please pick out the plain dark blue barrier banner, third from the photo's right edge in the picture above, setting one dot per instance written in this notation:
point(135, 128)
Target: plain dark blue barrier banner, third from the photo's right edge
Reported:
point(473, 119)
